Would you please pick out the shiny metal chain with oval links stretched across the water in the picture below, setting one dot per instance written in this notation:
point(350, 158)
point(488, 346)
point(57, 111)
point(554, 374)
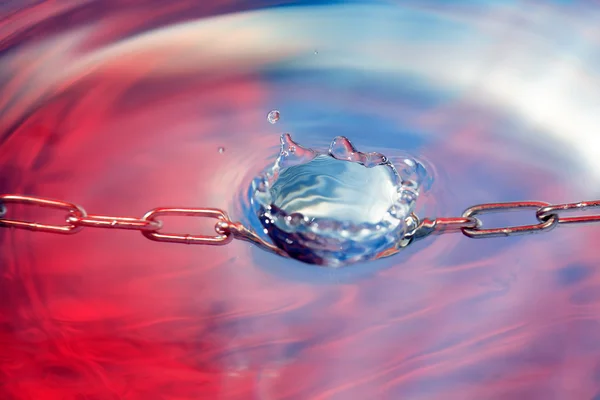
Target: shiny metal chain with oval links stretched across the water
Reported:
point(547, 215)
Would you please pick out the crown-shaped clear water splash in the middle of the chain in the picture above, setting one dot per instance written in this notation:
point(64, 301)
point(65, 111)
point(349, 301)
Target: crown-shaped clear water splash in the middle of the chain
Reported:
point(337, 207)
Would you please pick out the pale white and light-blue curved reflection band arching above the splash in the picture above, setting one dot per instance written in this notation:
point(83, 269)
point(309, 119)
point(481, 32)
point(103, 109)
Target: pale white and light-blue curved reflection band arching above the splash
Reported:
point(540, 65)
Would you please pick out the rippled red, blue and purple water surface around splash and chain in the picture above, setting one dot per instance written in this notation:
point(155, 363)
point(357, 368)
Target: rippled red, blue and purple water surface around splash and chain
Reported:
point(123, 107)
